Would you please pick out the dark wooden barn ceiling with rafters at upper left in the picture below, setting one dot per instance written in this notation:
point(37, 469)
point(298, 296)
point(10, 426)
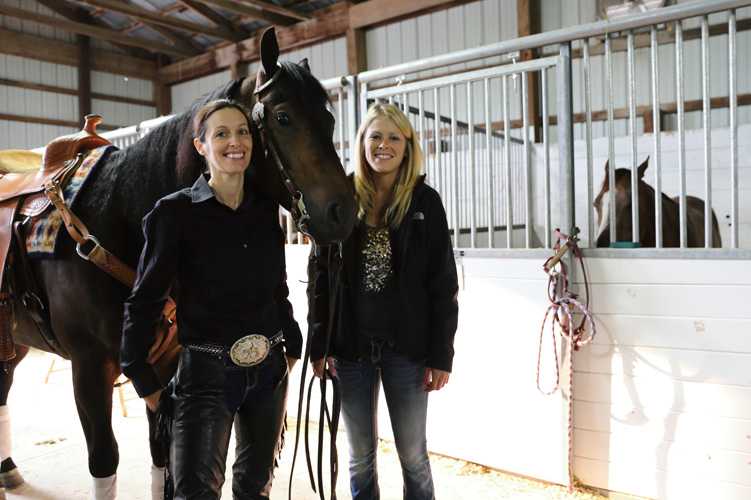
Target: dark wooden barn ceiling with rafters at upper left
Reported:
point(174, 29)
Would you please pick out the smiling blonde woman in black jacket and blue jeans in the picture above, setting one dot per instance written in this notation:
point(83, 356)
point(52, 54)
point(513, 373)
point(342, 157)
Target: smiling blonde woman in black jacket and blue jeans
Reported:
point(396, 310)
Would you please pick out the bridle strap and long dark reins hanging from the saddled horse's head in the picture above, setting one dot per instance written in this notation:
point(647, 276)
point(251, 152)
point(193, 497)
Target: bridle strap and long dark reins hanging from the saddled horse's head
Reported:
point(300, 215)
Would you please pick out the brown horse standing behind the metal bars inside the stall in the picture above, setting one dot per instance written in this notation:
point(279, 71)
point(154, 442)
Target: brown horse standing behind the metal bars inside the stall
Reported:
point(647, 217)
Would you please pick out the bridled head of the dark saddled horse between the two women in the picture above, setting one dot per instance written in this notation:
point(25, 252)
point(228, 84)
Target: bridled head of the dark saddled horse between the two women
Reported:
point(303, 170)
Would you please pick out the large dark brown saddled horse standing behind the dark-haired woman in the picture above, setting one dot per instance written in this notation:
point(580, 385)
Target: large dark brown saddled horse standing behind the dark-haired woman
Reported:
point(85, 305)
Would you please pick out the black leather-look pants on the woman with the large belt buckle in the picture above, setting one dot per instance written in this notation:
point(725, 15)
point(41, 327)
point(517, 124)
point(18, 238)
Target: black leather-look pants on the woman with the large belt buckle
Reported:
point(210, 394)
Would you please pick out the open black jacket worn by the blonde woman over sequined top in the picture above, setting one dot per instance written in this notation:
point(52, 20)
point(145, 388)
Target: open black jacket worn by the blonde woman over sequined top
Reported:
point(426, 281)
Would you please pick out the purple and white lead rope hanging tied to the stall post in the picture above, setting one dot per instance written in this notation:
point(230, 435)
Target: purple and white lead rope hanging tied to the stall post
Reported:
point(563, 305)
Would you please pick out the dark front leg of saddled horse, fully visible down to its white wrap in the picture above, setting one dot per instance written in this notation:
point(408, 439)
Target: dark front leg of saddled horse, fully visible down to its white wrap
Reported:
point(93, 380)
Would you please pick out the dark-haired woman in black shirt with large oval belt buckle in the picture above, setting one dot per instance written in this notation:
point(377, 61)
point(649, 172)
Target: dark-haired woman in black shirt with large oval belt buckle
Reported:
point(220, 243)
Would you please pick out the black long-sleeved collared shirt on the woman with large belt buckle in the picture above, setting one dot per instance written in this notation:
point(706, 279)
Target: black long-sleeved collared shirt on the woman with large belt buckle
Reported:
point(229, 269)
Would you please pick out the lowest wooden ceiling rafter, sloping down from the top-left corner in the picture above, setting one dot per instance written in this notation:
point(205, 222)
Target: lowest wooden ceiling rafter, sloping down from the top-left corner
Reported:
point(93, 31)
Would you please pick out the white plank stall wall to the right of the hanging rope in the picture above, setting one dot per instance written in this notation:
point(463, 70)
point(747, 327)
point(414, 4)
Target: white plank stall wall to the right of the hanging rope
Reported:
point(662, 396)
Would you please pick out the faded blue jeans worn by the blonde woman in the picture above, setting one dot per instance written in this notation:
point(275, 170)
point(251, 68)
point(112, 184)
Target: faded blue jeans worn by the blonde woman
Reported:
point(407, 403)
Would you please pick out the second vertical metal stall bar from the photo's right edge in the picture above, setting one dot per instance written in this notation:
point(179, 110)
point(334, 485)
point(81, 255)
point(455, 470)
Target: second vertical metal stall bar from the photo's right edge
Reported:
point(707, 124)
